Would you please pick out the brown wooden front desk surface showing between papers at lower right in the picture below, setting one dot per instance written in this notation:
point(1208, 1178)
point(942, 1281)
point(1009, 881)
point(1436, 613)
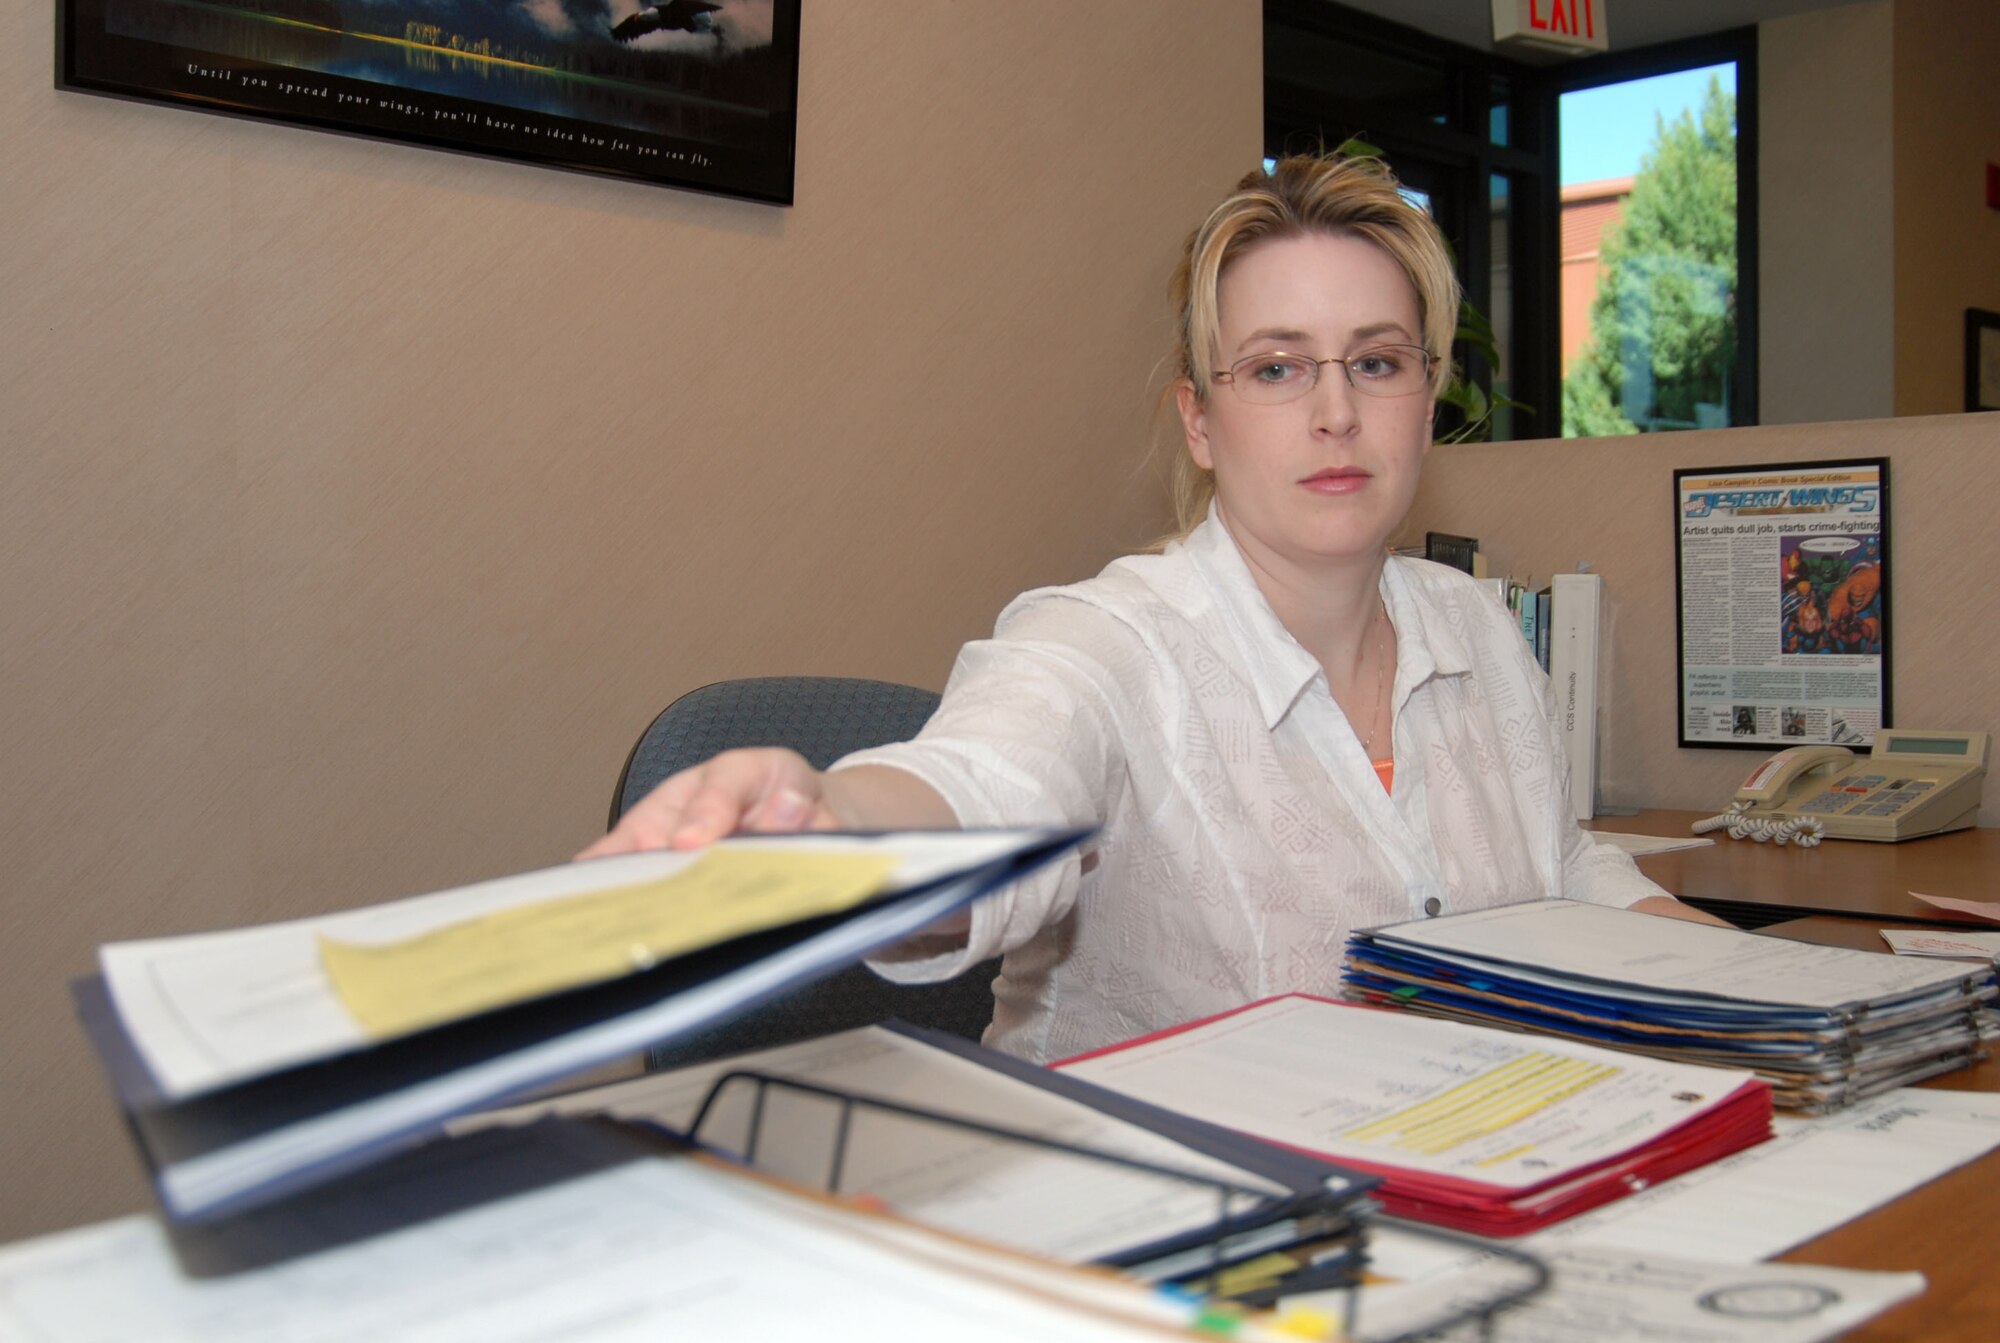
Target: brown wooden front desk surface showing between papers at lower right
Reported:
point(1943, 1228)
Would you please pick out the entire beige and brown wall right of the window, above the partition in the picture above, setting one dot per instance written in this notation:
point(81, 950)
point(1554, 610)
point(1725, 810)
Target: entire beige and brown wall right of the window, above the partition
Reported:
point(1877, 125)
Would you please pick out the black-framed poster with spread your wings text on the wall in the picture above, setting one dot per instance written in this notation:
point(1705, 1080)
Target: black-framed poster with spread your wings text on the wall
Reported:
point(687, 93)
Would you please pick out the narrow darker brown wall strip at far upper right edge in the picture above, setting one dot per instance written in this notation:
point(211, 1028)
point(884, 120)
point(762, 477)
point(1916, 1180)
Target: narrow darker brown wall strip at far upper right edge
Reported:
point(1947, 237)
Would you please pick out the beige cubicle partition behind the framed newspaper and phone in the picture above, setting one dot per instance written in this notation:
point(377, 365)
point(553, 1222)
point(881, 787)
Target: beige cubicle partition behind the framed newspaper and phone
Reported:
point(1547, 507)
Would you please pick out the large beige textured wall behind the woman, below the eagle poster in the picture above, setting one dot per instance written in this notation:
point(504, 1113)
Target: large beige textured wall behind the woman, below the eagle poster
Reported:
point(363, 503)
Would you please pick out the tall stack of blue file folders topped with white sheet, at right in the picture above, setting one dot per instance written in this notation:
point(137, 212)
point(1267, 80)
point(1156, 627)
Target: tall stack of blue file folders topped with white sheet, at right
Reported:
point(1823, 1026)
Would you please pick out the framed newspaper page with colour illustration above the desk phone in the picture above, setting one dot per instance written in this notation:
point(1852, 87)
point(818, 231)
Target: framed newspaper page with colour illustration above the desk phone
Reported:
point(1785, 615)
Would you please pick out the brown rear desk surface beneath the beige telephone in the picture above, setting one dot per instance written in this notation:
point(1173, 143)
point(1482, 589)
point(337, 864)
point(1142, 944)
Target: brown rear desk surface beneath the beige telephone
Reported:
point(1851, 878)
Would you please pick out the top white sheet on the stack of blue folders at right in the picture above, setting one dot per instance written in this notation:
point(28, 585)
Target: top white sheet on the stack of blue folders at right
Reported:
point(1557, 940)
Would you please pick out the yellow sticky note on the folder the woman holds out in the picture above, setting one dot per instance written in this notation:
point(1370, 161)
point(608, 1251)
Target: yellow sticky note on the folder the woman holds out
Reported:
point(561, 944)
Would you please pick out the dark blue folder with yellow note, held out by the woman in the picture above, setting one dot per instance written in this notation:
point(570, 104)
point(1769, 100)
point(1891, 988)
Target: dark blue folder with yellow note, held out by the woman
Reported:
point(267, 1060)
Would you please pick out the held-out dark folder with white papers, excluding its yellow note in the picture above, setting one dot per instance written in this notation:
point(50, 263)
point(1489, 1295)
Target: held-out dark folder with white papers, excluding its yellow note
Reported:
point(247, 1078)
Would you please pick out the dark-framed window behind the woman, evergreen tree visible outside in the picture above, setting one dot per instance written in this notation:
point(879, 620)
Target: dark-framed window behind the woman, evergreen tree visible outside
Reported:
point(1483, 141)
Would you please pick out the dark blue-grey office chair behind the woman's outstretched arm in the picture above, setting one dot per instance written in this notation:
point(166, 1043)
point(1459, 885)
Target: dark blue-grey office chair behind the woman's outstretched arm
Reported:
point(823, 718)
